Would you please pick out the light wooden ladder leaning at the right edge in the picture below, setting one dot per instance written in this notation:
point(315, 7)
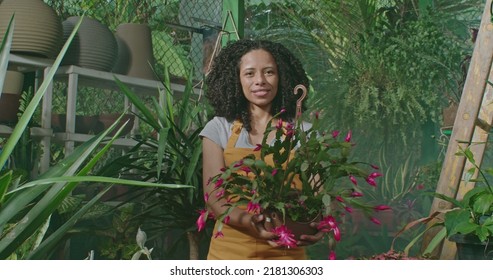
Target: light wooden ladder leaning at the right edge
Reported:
point(472, 125)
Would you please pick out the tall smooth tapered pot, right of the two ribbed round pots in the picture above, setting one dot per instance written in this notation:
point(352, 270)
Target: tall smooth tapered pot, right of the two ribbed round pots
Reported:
point(136, 46)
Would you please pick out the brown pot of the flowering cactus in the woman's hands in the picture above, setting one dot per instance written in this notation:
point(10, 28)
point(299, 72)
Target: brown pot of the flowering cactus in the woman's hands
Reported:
point(298, 228)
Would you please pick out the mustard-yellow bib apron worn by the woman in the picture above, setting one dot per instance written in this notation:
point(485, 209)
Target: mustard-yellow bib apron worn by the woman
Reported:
point(235, 244)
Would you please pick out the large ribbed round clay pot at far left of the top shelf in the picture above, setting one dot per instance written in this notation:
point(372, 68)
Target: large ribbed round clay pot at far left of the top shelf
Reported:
point(38, 29)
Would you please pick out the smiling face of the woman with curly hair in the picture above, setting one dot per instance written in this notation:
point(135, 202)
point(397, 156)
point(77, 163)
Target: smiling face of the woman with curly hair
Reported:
point(259, 78)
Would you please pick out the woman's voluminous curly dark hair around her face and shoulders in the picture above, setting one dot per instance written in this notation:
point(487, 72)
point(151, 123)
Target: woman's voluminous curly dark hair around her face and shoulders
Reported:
point(223, 86)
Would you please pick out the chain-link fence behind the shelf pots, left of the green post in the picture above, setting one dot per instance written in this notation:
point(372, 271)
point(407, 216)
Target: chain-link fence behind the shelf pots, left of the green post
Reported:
point(179, 28)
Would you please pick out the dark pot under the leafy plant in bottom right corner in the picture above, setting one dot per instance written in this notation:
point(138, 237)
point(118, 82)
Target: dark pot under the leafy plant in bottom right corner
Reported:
point(469, 247)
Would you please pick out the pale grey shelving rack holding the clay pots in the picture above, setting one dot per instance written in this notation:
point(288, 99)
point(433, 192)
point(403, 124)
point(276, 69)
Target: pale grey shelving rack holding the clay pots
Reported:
point(76, 77)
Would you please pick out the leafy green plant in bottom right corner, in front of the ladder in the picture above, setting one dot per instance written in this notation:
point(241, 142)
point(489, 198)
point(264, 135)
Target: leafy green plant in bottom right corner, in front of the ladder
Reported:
point(469, 223)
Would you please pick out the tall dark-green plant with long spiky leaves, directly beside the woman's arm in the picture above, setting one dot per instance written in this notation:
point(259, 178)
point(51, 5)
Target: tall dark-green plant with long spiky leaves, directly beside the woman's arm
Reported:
point(172, 154)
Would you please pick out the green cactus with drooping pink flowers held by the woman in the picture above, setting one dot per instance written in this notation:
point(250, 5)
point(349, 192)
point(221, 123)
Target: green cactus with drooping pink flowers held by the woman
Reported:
point(317, 162)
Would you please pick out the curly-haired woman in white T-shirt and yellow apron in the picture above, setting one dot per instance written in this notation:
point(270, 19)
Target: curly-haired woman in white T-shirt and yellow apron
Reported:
point(249, 82)
